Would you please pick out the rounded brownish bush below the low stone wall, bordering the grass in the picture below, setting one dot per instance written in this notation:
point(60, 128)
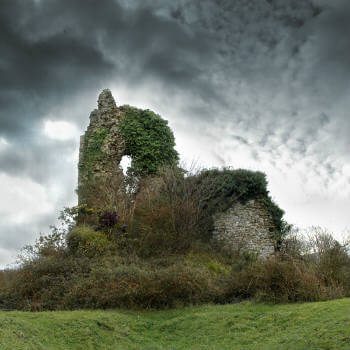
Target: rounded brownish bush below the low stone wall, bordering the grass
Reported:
point(282, 280)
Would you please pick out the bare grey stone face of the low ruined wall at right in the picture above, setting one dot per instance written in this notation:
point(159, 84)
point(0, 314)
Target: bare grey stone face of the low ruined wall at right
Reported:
point(246, 227)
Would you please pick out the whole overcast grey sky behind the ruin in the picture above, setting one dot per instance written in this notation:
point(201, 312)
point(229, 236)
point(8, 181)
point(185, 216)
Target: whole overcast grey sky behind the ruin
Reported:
point(257, 84)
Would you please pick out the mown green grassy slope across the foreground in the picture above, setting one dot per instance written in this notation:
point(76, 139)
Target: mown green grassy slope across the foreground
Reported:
point(324, 325)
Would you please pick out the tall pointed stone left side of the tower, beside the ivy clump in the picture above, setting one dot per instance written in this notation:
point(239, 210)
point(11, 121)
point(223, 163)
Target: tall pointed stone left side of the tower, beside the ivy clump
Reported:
point(101, 150)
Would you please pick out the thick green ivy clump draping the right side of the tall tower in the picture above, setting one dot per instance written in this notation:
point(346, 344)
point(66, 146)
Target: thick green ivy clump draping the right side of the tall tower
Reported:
point(149, 141)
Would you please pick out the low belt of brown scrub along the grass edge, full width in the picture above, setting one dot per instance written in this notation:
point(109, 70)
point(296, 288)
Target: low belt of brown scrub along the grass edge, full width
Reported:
point(201, 276)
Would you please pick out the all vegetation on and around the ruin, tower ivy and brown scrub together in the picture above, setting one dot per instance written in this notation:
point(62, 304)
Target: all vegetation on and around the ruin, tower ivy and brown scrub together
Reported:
point(146, 241)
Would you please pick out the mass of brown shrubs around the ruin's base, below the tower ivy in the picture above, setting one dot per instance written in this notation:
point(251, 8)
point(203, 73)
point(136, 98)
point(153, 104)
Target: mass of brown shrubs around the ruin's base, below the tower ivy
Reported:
point(157, 257)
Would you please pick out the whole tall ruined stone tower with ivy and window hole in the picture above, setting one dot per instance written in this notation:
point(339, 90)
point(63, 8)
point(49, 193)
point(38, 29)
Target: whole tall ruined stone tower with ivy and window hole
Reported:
point(114, 132)
